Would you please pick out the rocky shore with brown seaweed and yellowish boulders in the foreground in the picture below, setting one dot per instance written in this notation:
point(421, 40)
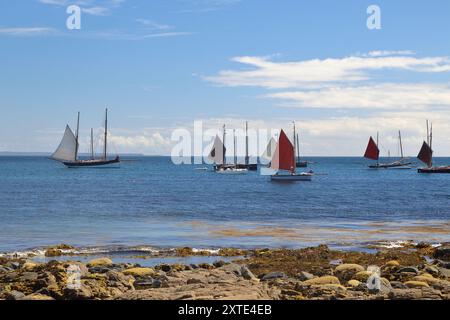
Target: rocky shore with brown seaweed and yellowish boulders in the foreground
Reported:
point(413, 272)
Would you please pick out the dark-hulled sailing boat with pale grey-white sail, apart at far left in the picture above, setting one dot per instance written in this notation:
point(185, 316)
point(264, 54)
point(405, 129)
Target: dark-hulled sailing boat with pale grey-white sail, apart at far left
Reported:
point(67, 151)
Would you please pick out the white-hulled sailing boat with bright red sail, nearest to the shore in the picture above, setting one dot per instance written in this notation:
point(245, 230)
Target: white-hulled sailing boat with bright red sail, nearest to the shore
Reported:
point(284, 159)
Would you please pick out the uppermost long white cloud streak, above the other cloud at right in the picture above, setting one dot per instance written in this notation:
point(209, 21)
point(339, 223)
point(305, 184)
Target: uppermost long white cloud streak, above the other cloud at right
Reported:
point(317, 73)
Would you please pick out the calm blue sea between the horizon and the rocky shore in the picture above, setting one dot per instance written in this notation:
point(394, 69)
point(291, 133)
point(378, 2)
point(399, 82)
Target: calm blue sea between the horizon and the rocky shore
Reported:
point(149, 201)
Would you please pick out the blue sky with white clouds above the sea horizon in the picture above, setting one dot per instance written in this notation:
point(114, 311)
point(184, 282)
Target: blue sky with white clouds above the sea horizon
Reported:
point(160, 65)
